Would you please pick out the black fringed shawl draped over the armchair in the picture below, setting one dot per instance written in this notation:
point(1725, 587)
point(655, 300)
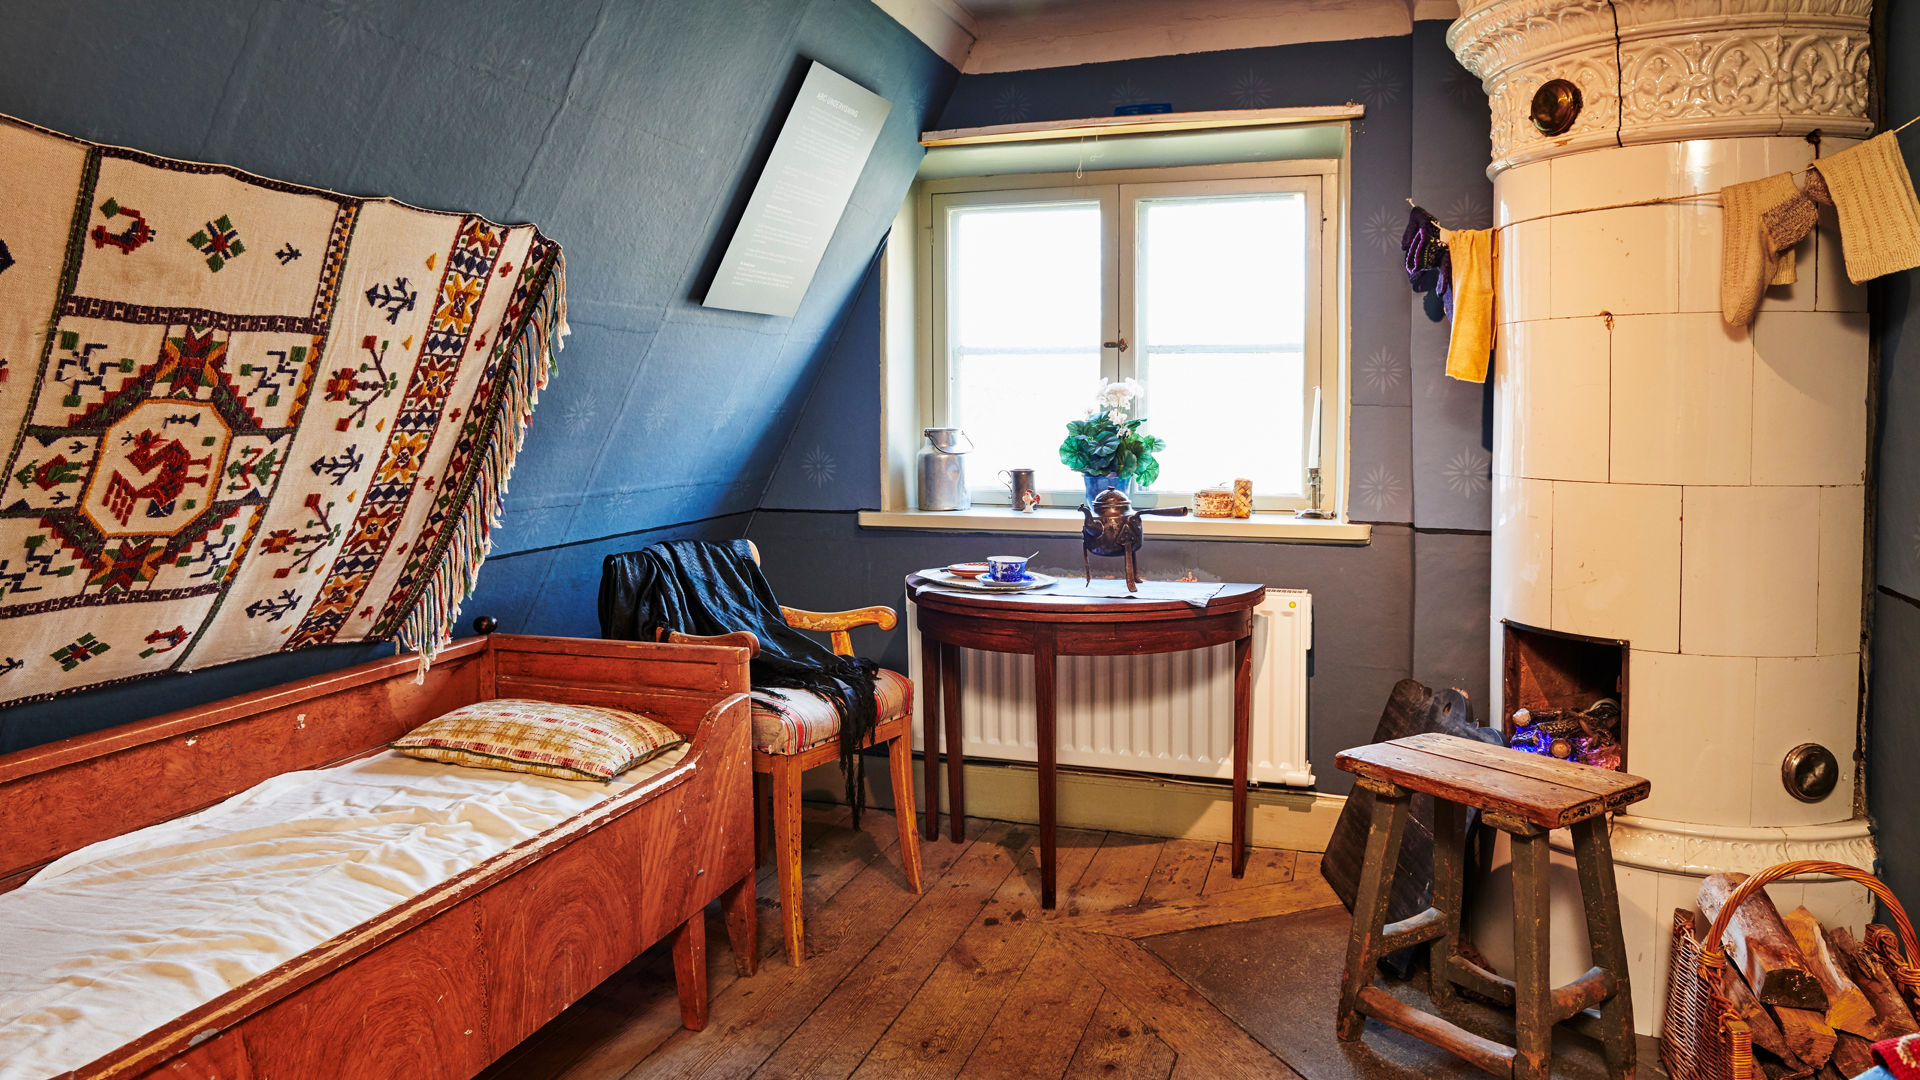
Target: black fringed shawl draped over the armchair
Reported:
point(696, 587)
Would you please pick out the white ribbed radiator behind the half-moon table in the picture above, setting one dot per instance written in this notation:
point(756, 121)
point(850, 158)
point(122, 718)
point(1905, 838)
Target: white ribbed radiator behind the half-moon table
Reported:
point(1168, 714)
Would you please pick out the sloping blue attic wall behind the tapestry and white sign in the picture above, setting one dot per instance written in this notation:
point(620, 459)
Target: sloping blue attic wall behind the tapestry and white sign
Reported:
point(631, 130)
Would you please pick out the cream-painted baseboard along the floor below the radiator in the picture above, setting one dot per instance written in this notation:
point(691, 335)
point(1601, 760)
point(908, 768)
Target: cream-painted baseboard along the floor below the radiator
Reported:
point(1147, 806)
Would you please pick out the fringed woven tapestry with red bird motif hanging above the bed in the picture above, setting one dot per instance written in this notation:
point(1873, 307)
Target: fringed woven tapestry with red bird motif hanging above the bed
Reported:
point(245, 416)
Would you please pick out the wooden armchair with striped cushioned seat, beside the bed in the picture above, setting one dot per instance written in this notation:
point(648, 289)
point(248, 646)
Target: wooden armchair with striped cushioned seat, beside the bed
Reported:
point(784, 750)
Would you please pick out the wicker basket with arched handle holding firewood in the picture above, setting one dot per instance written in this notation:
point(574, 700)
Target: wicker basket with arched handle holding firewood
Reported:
point(1706, 1039)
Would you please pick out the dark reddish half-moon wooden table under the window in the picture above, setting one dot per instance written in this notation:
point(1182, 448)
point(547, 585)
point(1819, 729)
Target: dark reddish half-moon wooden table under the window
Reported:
point(1070, 622)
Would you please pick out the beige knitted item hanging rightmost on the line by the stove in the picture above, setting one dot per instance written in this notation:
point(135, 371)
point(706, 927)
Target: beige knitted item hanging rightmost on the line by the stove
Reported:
point(1879, 212)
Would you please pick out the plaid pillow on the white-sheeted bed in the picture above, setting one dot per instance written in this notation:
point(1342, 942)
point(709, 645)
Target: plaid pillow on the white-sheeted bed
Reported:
point(540, 737)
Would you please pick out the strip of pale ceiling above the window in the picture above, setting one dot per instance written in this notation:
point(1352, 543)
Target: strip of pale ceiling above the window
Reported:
point(1015, 36)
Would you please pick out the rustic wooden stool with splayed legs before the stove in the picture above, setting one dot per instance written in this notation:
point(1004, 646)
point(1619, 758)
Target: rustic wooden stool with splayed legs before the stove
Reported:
point(1525, 797)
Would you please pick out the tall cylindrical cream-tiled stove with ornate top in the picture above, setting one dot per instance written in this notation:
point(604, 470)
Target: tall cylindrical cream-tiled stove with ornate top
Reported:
point(1662, 478)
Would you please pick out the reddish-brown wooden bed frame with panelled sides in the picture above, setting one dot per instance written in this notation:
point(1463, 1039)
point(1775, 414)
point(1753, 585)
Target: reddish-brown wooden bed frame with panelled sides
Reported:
point(446, 983)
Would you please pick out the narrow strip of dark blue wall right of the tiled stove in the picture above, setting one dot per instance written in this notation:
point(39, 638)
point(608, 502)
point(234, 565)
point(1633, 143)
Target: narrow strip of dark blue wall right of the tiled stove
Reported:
point(1894, 695)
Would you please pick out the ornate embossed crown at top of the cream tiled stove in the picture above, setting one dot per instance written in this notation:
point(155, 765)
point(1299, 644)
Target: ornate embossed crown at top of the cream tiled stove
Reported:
point(1668, 70)
